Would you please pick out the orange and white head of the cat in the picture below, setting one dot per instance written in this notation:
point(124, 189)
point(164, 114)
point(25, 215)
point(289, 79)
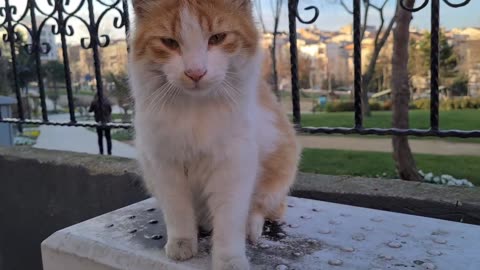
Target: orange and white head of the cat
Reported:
point(196, 45)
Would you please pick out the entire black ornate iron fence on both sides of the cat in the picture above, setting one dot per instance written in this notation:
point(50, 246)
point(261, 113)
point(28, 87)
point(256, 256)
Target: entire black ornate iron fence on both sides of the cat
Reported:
point(62, 12)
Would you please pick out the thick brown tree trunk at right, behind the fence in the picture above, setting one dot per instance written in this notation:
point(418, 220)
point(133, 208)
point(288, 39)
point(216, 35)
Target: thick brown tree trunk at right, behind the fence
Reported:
point(402, 154)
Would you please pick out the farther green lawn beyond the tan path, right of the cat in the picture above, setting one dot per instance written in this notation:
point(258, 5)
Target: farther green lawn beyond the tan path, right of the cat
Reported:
point(457, 119)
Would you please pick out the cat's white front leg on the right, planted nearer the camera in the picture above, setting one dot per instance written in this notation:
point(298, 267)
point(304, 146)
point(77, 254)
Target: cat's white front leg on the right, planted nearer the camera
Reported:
point(230, 190)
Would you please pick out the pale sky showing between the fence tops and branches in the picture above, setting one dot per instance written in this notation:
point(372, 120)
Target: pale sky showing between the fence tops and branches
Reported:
point(332, 15)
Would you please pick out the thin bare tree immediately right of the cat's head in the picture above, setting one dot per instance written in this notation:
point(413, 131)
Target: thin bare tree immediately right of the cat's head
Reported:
point(276, 9)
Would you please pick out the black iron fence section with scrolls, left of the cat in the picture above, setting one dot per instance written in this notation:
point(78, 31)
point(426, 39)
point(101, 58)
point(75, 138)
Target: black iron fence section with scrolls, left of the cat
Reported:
point(59, 14)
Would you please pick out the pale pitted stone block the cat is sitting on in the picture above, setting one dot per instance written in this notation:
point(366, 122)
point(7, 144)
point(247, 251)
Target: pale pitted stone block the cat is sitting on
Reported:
point(316, 235)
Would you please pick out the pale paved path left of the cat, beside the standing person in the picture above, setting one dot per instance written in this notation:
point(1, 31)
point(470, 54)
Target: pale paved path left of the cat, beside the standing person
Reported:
point(77, 139)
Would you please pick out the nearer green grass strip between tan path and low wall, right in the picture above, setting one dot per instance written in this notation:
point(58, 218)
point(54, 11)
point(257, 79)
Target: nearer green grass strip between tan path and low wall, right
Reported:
point(374, 164)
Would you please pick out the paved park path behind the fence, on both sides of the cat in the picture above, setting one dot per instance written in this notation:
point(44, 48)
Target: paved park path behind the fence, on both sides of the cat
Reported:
point(80, 139)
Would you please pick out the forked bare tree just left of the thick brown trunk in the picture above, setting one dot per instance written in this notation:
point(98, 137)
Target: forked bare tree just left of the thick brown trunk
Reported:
point(381, 37)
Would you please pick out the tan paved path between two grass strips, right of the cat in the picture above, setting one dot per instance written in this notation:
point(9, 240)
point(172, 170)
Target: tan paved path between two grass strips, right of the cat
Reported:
point(436, 147)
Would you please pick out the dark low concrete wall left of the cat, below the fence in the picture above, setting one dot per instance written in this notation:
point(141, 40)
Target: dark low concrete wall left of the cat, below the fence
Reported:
point(42, 192)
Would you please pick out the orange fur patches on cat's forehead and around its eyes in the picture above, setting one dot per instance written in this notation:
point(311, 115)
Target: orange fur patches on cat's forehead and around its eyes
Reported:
point(215, 16)
